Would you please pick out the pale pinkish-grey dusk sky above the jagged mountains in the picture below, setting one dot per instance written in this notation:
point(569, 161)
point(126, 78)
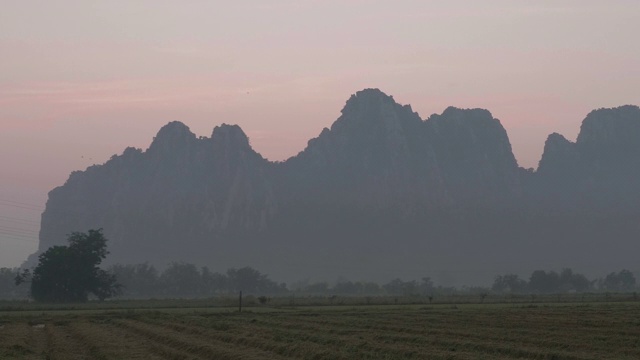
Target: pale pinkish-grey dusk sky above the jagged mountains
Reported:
point(82, 80)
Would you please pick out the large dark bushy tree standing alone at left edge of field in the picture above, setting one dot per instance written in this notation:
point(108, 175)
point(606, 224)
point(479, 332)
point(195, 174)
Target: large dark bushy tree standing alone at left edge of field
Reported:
point(71, 273)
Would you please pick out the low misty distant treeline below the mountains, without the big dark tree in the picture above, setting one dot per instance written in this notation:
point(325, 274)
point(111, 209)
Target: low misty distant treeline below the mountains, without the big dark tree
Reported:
point(183, 280)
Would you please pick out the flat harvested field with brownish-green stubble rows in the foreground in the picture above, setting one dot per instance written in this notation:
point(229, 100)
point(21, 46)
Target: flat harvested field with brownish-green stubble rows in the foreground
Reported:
point(463, 331)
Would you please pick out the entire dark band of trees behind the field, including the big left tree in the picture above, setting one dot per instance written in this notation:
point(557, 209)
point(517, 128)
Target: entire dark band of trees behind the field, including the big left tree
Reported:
point(71, 274)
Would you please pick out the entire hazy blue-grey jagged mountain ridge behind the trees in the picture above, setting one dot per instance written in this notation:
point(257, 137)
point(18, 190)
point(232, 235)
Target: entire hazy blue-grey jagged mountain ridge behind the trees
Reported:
point(380, 186)
